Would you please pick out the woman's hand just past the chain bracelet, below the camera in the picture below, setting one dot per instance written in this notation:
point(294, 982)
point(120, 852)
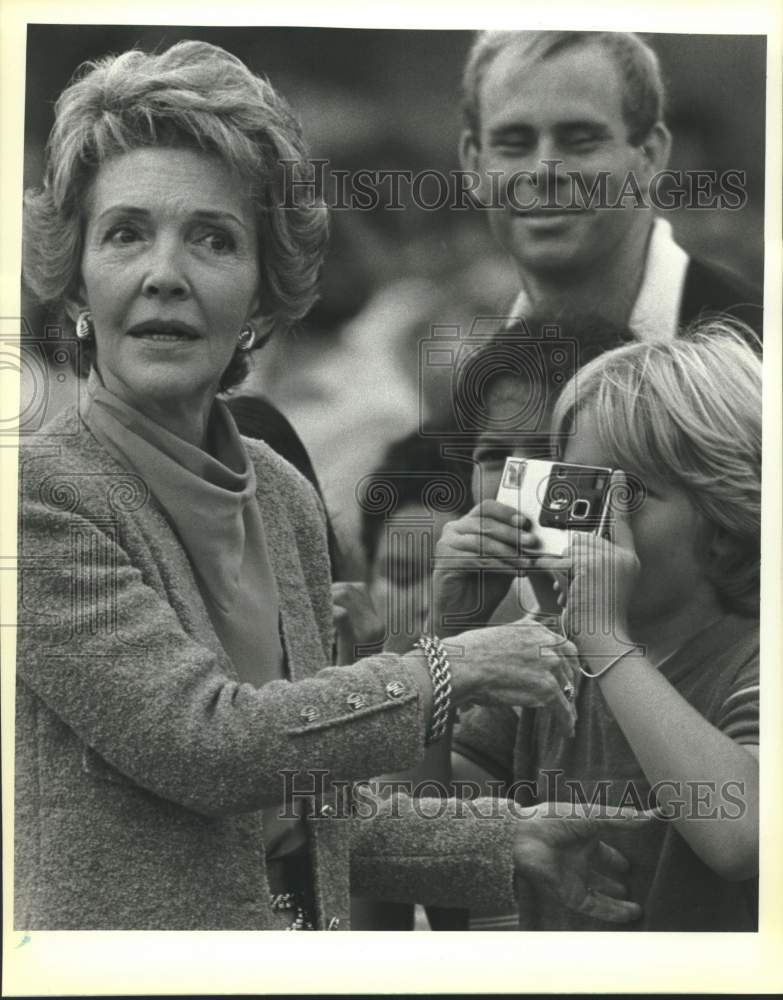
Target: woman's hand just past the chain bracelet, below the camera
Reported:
point(519, 664)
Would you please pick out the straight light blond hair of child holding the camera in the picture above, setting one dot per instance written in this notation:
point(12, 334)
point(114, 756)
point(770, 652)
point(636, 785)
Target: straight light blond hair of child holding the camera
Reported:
point(688, 412)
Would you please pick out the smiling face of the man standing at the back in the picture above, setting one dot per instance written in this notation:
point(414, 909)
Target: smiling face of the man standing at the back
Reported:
point(567, 108)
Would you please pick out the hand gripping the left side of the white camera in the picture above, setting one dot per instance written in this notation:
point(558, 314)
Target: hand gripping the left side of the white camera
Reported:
point(476, 560)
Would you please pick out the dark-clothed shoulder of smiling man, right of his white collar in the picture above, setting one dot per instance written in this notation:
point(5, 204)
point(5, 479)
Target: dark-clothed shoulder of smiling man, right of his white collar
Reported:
point(711, 289)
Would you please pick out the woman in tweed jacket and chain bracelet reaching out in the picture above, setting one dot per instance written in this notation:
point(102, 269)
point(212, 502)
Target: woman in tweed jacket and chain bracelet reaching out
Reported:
point(181, 761)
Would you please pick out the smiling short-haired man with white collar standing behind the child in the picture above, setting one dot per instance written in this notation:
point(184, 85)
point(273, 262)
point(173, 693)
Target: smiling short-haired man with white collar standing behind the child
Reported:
point(558, 124)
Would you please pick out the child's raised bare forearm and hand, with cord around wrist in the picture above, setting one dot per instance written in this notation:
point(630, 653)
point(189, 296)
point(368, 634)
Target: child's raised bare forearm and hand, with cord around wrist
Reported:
point(671, 740)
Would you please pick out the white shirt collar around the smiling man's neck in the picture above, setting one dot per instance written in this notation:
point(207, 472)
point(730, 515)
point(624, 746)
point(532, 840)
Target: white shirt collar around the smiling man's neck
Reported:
point(656, 310)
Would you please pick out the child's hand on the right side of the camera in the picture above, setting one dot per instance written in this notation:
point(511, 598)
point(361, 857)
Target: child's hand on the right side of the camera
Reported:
point(602, 577)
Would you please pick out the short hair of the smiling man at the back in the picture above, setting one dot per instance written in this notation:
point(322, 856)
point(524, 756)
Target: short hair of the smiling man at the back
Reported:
point(643, 91)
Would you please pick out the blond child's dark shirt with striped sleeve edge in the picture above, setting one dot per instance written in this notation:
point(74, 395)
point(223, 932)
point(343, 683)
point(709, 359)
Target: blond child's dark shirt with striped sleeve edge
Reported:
point(717, 672)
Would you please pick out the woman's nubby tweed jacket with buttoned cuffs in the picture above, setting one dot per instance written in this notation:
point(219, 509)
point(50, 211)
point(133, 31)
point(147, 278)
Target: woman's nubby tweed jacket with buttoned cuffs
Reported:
point(142, 763)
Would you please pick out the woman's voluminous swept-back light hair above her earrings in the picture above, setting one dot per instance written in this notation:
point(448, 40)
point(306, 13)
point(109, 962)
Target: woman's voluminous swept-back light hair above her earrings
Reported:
point(194, 95)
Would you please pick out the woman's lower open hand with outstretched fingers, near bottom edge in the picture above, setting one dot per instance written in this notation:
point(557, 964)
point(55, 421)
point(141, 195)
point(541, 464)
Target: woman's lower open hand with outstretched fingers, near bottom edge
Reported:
point(565, 856)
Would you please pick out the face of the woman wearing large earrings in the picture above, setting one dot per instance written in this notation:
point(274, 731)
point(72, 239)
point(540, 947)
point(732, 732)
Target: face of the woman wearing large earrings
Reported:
point(170, 274)
